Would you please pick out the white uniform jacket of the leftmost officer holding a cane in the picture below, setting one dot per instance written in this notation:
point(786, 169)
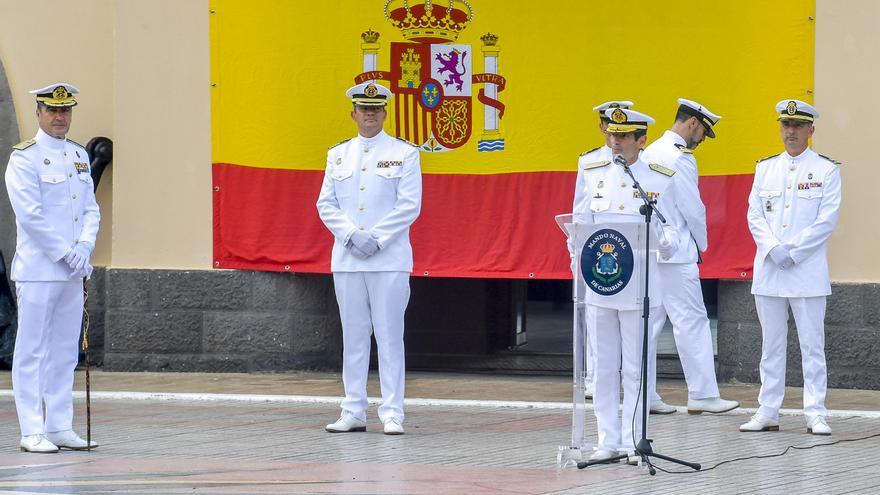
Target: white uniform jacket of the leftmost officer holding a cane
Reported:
point(54, 203)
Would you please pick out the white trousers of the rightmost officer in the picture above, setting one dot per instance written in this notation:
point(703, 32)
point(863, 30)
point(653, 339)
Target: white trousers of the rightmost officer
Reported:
point(809, 317)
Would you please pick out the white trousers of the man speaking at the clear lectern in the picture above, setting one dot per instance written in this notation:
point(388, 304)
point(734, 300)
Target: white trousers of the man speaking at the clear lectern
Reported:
point(618, 356)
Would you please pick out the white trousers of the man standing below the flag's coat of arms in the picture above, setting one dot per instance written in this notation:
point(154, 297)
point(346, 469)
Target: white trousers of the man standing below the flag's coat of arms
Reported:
point(372, 302)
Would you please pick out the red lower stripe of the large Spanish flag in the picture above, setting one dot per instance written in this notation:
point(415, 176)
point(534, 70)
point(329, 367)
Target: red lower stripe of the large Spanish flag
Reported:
point(483, 226)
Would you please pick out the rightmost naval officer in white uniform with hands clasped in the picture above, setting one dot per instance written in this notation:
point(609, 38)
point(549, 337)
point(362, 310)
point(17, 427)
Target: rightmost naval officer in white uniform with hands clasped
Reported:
point(793, 209)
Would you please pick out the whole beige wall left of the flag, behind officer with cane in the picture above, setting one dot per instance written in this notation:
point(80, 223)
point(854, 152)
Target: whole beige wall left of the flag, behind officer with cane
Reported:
point(143, 69)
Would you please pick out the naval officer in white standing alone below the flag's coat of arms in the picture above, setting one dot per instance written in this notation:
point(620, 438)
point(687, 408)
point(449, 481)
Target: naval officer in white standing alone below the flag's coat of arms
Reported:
point(371, 194)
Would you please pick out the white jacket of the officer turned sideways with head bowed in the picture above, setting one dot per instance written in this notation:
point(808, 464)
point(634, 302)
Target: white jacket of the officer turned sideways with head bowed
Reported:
point(687, 214)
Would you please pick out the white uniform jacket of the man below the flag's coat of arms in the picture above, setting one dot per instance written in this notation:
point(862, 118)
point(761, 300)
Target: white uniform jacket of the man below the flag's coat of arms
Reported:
point(372, 184)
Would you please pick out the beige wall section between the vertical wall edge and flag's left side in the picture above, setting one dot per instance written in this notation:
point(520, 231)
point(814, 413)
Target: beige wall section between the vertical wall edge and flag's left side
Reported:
point(162, 182)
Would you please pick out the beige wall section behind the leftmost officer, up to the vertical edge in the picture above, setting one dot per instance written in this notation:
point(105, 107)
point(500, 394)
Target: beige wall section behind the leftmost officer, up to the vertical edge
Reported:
point(34, 56)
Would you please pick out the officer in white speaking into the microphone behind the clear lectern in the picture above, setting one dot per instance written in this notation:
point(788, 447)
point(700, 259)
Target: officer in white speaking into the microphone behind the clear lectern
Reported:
point(618, 324)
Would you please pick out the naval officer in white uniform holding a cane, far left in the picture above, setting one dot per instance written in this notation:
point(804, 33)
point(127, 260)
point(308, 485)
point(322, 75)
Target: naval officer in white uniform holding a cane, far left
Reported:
point(56, 216)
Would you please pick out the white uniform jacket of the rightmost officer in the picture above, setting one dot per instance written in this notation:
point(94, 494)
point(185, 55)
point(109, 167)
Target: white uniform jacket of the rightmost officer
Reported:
point(794, 202)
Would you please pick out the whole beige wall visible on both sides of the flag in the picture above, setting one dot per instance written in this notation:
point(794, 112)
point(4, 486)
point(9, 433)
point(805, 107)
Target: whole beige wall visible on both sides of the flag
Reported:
point(144, 71)
